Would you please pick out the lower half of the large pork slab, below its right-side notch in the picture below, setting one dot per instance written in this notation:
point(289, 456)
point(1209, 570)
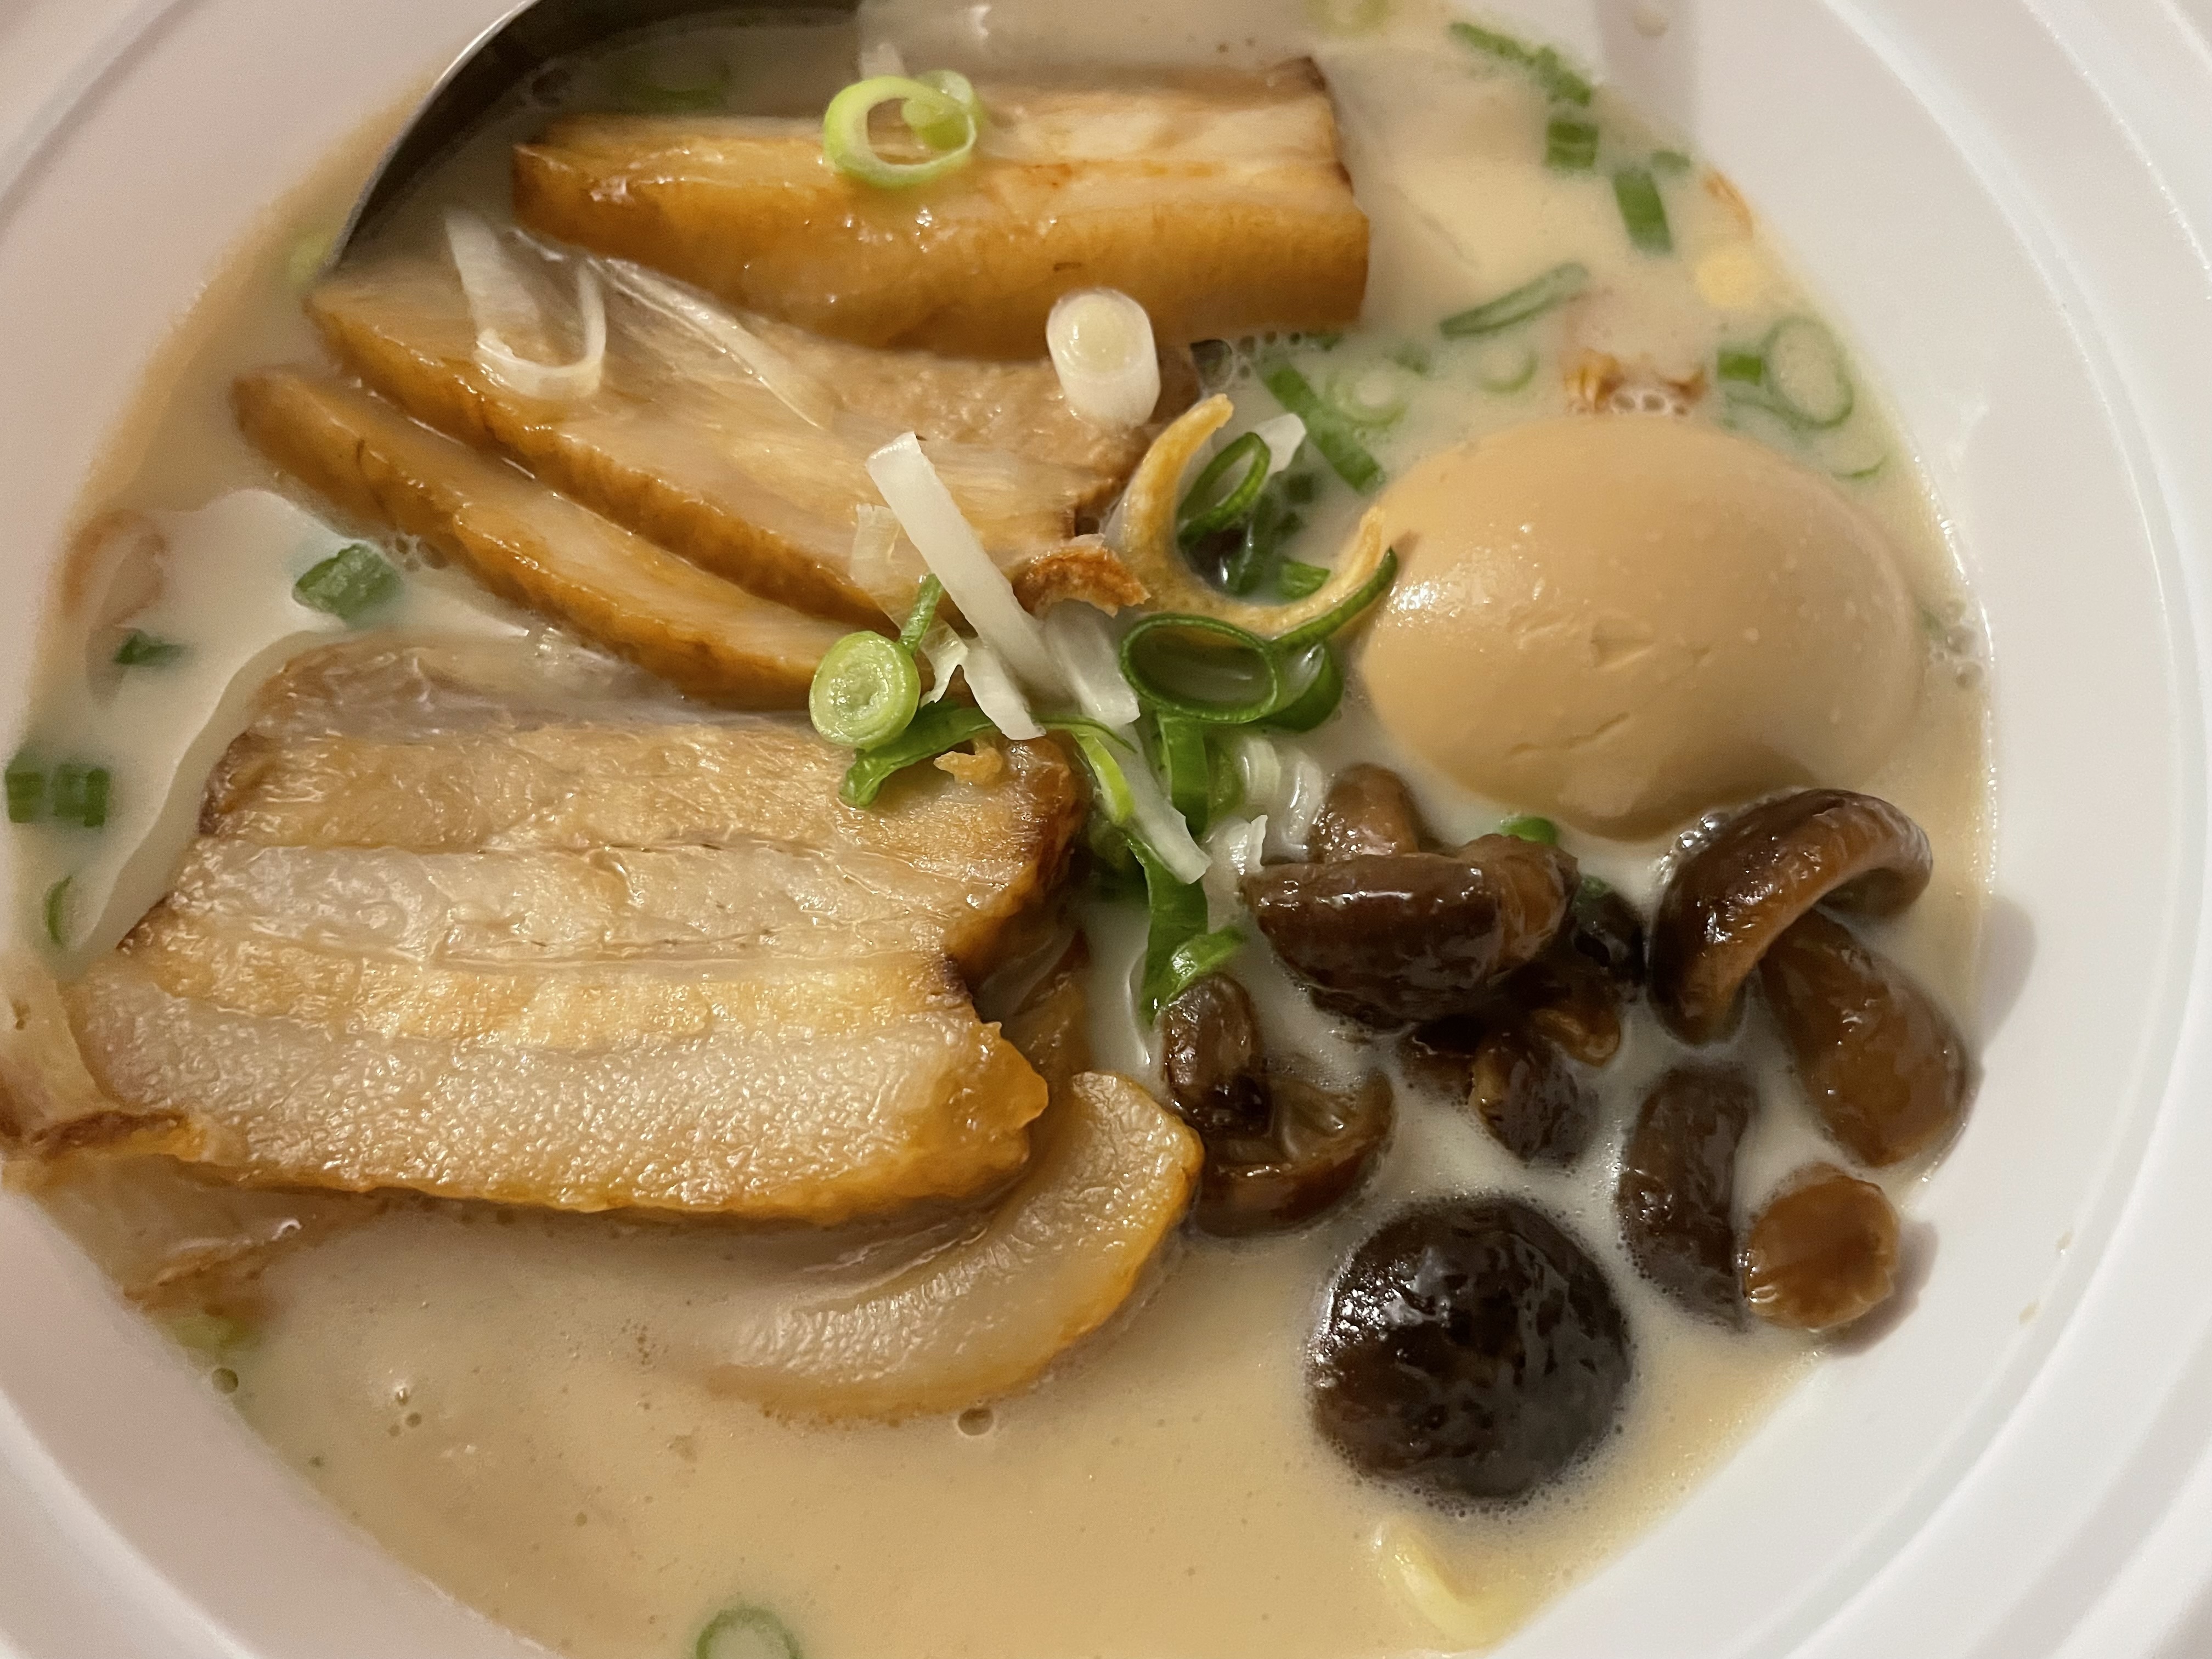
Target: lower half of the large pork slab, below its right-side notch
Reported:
point(806, 1096)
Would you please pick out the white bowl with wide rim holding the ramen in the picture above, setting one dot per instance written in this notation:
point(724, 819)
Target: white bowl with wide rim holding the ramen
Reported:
point(2010, 205)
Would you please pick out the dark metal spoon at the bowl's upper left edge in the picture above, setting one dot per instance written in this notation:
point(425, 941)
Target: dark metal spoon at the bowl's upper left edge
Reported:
point(508, 56)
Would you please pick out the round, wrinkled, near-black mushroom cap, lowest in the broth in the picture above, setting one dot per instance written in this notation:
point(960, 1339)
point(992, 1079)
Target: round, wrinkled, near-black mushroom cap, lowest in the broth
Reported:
point(1470, 1348)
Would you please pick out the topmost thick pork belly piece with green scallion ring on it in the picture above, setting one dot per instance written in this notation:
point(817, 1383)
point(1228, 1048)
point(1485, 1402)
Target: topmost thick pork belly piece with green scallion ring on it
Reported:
point(1218, 200)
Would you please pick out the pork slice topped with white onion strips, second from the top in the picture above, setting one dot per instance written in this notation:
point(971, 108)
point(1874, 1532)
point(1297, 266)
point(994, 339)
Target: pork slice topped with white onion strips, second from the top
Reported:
point(689, 450)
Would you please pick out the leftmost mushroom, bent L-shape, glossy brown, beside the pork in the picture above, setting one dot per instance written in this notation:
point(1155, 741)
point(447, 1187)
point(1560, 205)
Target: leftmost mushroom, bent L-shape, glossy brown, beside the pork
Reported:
point(1280, 1149)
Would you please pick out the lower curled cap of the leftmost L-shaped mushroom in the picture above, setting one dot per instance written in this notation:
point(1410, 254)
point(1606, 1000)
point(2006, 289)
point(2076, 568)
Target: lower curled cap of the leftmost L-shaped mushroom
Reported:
point(1317, 1149)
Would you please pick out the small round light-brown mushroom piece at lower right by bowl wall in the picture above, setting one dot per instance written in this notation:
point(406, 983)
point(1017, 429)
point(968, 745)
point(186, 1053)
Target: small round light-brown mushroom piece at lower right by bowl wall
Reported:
point(1824, 1253)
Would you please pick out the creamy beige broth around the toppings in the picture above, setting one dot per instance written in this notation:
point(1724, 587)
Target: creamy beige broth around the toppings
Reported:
point(521, 1406)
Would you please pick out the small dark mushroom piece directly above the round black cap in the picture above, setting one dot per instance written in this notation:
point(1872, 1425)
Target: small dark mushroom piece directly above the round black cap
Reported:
point(1514, 1078)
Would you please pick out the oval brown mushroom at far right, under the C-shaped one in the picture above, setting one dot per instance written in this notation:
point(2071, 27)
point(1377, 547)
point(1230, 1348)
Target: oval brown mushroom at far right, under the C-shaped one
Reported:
point(1881, 1063)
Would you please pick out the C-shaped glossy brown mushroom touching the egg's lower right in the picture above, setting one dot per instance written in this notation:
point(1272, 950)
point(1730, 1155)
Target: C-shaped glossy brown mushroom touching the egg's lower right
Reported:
point(1755, 877)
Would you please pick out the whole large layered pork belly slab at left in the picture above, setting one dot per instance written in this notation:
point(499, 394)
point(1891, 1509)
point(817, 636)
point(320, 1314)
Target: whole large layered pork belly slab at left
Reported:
point(463, 943)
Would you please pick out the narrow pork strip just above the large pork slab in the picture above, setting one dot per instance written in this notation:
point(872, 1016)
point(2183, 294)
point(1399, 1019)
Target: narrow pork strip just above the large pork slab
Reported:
point(532, 545)
